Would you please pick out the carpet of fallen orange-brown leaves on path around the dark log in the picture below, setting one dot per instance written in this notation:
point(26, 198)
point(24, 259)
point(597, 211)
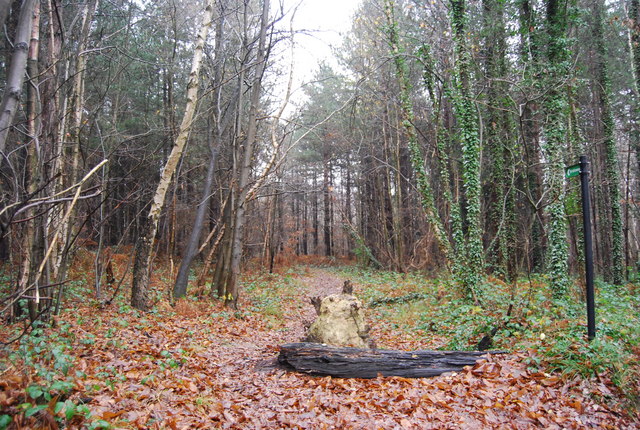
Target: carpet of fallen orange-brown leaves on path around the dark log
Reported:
point(201, 366)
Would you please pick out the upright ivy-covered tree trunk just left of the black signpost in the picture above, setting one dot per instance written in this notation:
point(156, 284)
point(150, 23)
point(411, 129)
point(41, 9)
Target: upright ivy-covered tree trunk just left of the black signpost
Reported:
point(555, 133)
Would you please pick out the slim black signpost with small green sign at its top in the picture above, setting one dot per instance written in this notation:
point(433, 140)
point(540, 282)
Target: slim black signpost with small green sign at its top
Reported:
point(582, 169)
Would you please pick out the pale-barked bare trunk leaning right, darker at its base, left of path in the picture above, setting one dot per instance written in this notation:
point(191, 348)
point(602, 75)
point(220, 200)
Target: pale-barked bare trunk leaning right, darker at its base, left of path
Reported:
point(143, 254)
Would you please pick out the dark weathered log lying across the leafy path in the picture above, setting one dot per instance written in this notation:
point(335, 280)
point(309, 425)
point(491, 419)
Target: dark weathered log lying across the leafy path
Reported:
point(343, 362)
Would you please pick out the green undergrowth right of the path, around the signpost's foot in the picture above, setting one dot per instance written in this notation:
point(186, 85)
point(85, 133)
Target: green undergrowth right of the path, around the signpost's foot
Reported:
point(515, 317)
